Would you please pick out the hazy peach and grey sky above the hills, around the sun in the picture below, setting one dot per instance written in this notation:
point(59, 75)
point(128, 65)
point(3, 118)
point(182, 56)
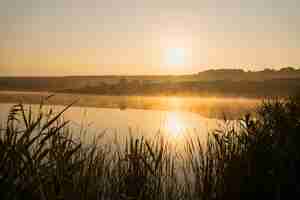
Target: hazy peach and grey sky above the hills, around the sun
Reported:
point(94, 37)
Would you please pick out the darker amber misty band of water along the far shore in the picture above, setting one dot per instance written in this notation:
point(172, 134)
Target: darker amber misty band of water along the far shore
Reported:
point(209, 107)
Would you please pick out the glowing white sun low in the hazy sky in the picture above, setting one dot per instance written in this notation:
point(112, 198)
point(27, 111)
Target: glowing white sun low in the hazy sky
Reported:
point(174, 56)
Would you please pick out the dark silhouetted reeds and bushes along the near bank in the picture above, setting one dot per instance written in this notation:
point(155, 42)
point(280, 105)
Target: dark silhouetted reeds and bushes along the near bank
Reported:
point(41, 159)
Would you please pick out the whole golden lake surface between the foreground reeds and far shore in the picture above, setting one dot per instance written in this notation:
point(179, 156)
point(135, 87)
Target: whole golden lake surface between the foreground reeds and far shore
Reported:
point(138, 119)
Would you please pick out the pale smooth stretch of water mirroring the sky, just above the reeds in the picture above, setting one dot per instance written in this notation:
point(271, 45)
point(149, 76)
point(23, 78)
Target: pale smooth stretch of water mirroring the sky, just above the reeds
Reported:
point(175, 125)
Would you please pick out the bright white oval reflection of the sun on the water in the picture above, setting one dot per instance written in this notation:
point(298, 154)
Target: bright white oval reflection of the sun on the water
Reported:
point(174, 124)
